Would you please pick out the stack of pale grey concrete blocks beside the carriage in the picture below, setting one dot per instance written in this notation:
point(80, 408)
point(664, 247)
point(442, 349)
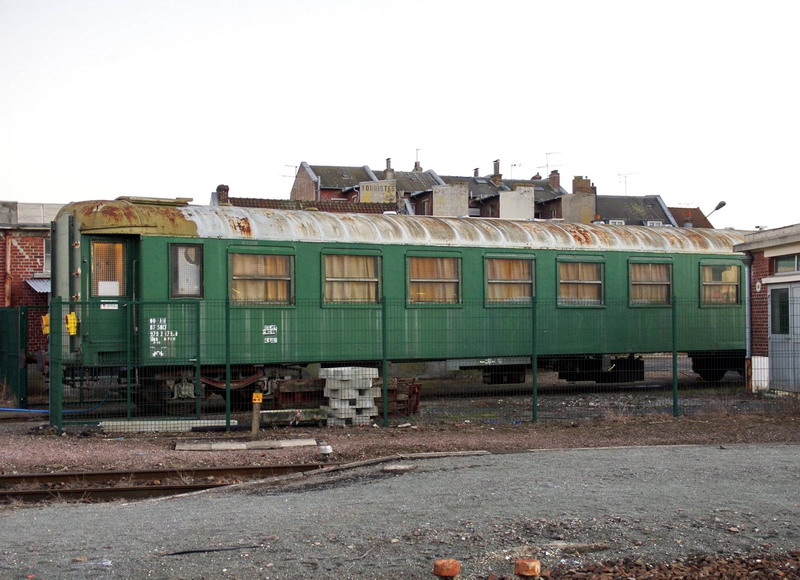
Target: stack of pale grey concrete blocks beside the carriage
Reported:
point(350, 394)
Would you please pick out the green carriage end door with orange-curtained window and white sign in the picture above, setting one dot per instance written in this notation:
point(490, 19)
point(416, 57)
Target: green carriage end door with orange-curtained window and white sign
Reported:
point(109, 296)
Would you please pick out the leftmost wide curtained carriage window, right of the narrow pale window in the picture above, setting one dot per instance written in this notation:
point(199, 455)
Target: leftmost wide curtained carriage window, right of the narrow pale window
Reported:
point(261, 278)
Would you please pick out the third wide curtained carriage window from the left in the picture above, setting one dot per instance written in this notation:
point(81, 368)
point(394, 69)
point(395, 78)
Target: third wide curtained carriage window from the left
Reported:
point(433, 280)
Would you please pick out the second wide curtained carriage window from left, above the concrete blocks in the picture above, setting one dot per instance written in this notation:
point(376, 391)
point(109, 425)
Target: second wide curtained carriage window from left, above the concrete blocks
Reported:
point(351, 279)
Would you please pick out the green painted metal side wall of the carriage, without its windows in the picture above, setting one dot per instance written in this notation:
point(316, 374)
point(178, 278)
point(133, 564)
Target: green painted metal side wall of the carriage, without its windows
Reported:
point(309, 331)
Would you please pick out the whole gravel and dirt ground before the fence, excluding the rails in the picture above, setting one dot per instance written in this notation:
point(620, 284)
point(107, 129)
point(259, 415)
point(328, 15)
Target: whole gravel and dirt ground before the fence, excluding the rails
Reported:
point(718, 492)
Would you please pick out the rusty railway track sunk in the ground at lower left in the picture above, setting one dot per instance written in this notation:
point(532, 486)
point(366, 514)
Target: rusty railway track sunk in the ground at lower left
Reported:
point(114, 485)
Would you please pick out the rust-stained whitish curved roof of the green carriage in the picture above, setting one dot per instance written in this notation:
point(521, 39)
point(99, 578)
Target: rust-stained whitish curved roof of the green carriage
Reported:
point(179, 219)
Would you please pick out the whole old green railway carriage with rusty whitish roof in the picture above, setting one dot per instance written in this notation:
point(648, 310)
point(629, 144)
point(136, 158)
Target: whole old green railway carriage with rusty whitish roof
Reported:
point(172, 292)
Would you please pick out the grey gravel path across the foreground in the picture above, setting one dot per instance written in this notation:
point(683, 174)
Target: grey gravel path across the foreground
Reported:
point(568, 506)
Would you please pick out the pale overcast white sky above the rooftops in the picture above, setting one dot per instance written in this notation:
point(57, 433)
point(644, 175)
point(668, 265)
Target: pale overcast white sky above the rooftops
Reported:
point(694, 101)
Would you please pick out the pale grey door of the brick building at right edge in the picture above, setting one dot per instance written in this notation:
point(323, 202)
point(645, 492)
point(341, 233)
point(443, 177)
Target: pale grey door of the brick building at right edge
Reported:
point(784, 337)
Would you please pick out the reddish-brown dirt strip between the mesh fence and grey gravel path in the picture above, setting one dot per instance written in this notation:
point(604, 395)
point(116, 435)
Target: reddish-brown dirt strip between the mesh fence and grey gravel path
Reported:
point(32, 446)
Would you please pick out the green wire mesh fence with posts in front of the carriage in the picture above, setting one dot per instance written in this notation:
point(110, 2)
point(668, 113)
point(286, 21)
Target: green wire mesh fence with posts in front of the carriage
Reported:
point(175, 365)
